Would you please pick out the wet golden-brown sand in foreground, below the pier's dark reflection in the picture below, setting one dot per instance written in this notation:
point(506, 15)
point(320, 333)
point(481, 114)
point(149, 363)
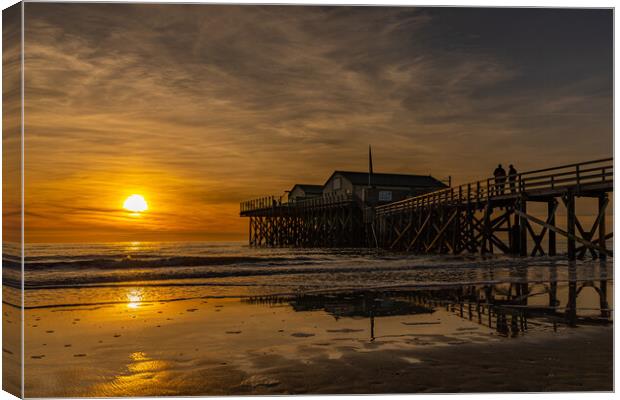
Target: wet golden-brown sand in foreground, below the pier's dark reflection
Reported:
point(231, 346)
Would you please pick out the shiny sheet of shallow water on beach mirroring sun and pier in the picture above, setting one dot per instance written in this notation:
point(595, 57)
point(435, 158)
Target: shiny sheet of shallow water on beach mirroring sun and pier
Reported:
point(232, 345)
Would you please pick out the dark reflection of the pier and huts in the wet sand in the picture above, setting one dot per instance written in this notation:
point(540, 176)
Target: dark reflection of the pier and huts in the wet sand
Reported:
point(504, 307)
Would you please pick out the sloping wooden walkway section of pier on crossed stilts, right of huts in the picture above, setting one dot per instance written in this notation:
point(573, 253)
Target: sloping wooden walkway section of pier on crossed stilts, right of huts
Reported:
point(484, 217)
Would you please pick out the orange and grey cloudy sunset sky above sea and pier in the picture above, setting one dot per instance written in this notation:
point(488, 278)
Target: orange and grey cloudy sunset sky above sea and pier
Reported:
point(198, 107)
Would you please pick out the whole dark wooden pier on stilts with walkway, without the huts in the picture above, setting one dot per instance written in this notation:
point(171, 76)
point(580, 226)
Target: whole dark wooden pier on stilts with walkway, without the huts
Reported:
point(482, 217)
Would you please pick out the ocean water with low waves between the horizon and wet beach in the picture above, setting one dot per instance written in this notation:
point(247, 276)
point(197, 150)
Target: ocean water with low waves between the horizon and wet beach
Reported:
point(107, 273)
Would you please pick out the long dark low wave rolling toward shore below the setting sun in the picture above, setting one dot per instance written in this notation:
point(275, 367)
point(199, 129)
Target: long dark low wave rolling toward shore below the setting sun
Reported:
point(192, 270)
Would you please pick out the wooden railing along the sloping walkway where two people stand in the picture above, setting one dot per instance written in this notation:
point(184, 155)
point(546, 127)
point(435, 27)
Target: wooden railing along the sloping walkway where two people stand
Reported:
point(578, 176)
